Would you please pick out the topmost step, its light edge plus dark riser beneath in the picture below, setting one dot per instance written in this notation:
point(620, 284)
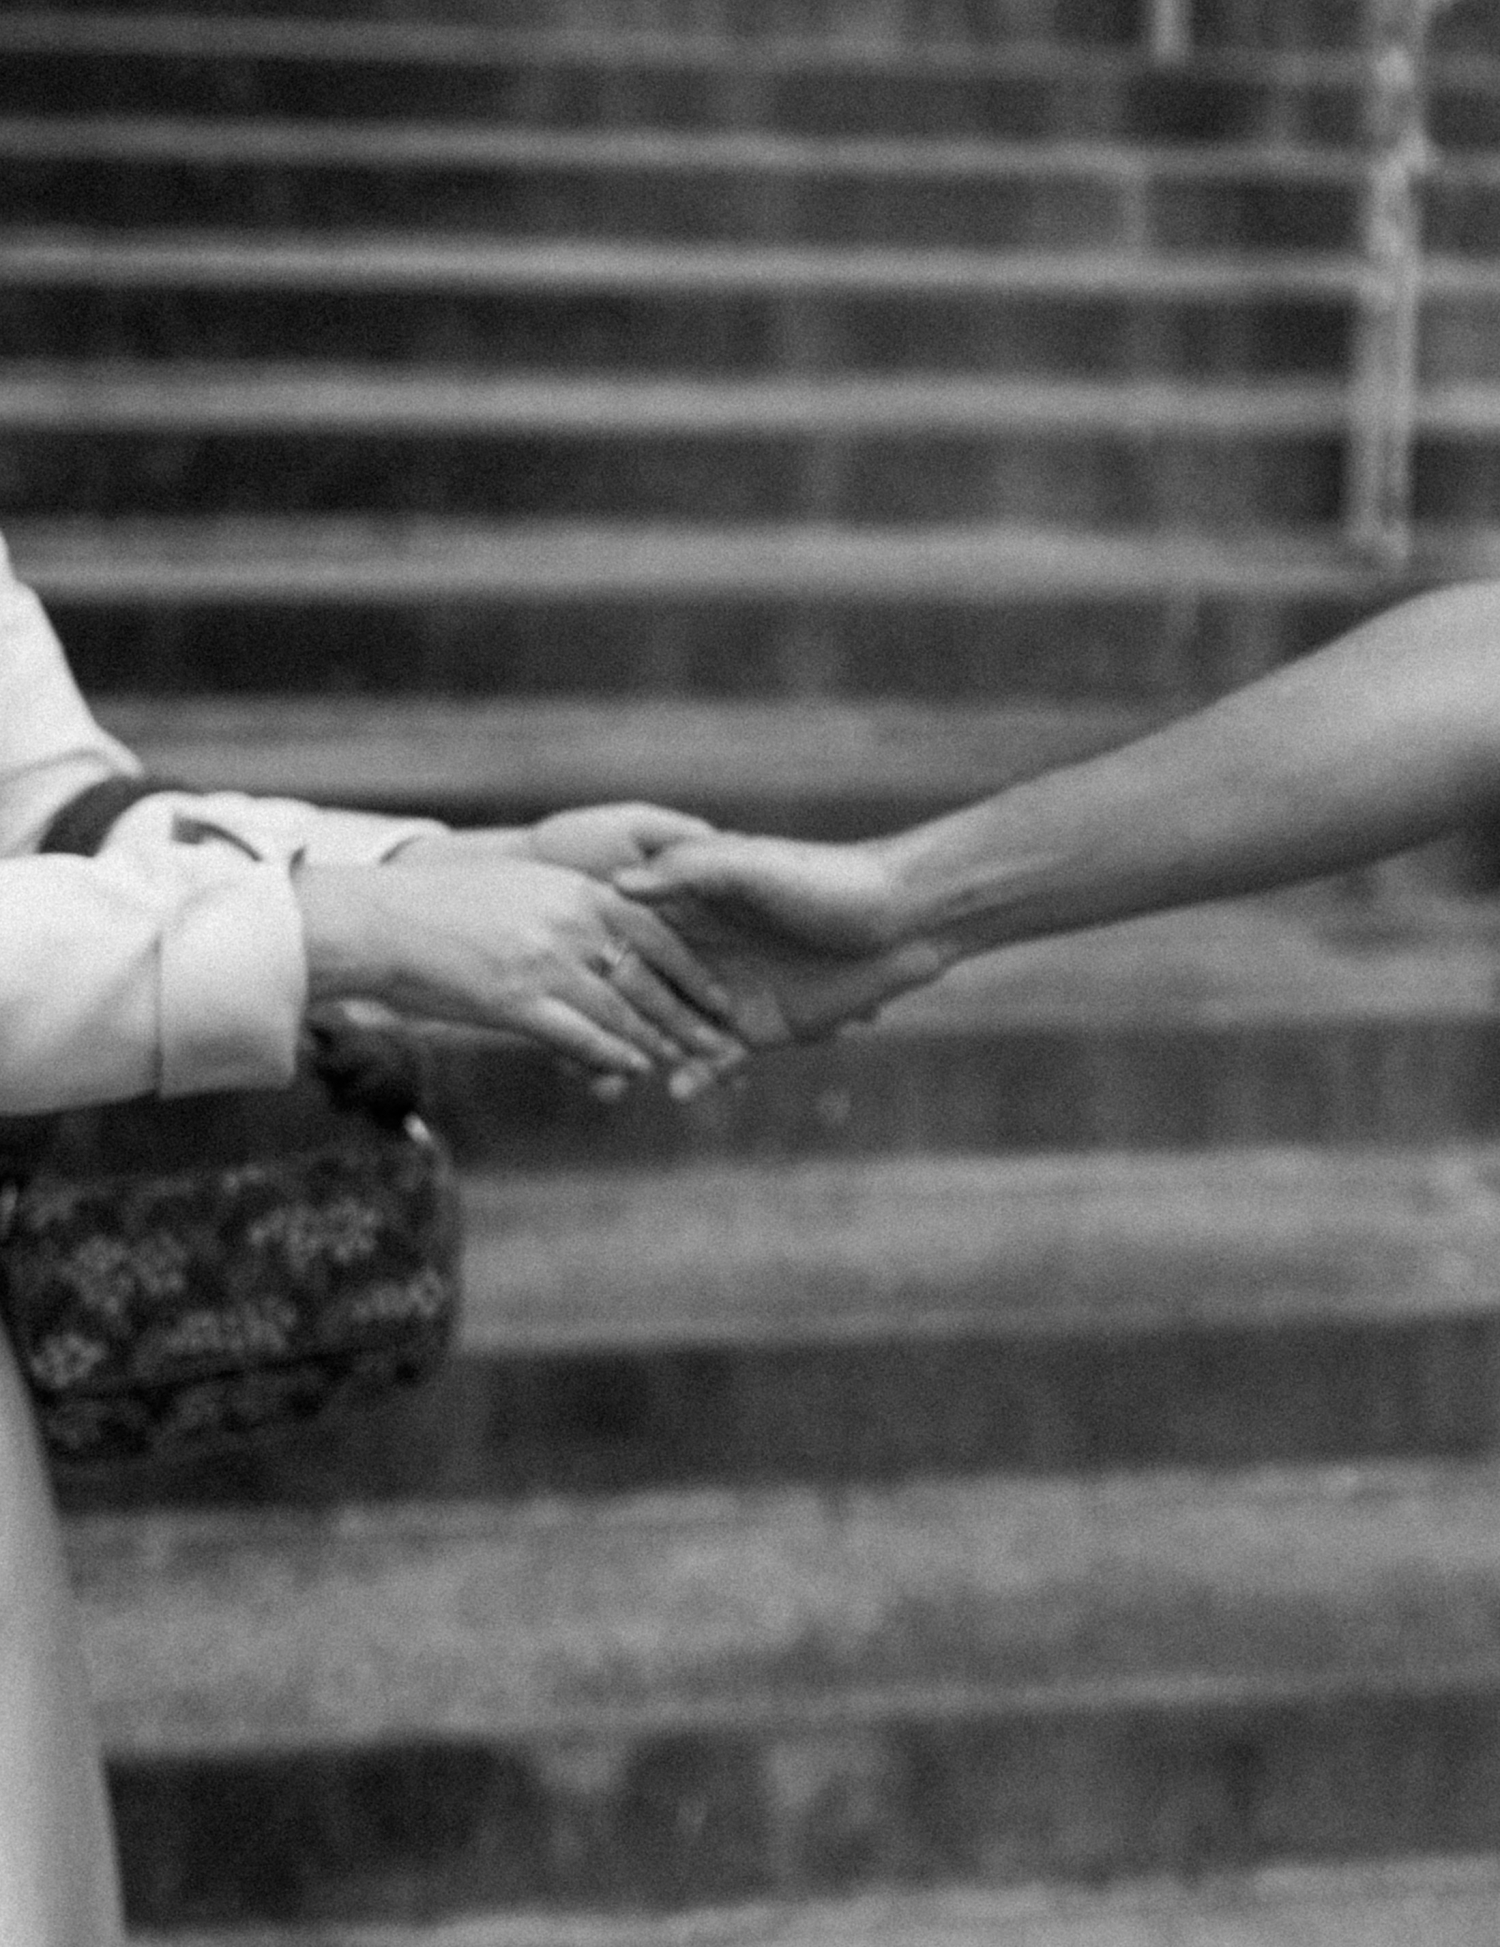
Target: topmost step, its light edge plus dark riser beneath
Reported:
point(833, 87)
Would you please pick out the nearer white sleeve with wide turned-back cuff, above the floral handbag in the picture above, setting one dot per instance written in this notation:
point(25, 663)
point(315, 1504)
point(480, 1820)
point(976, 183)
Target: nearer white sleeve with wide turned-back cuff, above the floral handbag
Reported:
point(126, 976)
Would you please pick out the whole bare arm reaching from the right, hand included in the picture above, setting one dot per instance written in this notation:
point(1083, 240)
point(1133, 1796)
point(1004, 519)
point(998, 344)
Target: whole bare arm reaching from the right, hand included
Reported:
point(1374, 745)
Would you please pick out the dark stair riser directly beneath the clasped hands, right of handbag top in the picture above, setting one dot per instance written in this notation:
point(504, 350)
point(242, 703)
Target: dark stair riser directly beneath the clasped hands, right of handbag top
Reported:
point(991, 1091)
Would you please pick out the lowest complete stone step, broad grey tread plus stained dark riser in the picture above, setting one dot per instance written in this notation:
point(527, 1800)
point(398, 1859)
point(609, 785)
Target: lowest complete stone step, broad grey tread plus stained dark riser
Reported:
point(770, 1695)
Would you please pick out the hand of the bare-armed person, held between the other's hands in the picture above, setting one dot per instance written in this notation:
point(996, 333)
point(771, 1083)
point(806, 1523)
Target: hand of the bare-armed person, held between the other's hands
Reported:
point(802, 936)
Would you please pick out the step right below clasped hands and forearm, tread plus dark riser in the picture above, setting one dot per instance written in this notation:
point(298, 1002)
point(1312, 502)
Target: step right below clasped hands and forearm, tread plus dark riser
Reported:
point(1234, 1025)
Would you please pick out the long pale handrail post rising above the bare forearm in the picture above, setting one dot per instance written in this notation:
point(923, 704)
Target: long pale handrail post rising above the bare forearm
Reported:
point(1384, 383)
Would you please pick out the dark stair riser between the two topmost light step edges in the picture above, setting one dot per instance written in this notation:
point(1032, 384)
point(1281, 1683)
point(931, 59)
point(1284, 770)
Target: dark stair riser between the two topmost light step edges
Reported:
point(807, 96)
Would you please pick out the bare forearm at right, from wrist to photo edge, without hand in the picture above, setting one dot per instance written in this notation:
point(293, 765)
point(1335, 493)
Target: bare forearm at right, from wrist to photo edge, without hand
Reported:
point(1378, 743)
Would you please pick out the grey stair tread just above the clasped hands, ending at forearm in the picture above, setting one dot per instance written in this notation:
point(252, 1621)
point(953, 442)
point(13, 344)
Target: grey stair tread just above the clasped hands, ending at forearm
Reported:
point(560, 751)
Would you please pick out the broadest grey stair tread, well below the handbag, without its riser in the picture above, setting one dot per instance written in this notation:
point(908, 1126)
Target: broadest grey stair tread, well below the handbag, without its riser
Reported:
point(295, 1631)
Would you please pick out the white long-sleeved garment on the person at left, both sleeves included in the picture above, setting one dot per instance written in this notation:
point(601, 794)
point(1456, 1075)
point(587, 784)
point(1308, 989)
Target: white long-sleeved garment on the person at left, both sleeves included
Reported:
point(172, 963)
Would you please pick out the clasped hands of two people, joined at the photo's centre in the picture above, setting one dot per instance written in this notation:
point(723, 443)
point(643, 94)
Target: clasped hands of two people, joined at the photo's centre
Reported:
point(634, 939)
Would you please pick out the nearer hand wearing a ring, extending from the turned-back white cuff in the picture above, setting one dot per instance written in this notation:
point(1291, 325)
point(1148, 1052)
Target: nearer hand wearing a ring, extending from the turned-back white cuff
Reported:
point(519, 947)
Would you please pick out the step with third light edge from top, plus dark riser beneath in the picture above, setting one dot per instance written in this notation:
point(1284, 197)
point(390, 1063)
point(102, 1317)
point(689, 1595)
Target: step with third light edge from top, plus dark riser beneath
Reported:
point(679, 309)
